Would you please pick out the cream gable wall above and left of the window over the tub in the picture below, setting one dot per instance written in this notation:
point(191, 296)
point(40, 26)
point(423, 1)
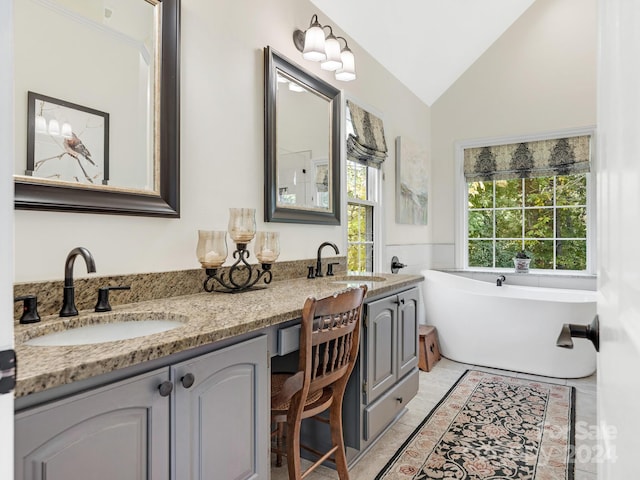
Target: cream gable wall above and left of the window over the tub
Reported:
point(539, 76)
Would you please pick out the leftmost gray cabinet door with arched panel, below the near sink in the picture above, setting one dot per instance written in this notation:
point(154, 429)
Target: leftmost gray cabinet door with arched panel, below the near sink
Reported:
point(120, 431)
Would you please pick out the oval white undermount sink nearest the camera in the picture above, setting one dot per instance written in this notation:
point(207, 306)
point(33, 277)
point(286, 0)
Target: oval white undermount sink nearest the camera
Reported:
point(109, 328)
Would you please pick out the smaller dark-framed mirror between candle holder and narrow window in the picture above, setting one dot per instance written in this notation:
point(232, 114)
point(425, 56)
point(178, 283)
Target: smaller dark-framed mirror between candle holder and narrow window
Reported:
point(302, 144)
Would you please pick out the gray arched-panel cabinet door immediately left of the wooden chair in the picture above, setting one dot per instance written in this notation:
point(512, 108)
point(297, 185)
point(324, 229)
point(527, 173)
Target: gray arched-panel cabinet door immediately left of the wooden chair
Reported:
point(222, 419)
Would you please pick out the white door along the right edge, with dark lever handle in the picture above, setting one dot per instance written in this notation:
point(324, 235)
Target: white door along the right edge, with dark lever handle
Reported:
point(618, 239)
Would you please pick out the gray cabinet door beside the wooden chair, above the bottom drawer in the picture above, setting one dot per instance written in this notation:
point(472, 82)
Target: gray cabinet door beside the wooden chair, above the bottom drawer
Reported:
point(380, 351)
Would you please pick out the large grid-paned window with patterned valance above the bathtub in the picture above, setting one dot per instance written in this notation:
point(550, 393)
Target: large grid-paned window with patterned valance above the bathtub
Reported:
point(535, 196)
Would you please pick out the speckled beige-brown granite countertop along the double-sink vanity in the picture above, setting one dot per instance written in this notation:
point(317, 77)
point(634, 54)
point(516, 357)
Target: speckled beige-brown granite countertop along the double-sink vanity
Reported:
point(207, 318)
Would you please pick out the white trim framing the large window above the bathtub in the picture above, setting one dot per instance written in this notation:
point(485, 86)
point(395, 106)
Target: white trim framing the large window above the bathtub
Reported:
point(461, 253)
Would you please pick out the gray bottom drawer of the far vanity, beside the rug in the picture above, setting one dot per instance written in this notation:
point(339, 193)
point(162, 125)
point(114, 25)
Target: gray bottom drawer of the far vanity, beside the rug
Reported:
point(383, 411)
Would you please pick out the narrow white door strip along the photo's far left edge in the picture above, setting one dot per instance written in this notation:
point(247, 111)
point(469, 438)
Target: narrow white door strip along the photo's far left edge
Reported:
point(6, 226)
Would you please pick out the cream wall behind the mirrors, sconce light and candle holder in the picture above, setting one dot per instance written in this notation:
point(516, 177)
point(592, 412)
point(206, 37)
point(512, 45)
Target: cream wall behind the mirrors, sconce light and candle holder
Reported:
point(222, 149)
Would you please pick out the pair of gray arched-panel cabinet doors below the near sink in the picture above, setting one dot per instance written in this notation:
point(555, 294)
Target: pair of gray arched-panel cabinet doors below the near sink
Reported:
point(211, 420)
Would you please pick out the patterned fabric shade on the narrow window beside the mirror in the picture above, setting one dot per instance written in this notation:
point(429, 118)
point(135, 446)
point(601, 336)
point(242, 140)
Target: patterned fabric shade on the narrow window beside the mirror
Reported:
point(366, 144)
